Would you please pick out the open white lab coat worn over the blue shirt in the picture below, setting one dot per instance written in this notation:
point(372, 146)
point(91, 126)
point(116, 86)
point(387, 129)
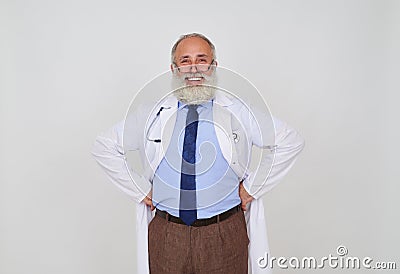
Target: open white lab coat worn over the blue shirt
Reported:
point(231, 116)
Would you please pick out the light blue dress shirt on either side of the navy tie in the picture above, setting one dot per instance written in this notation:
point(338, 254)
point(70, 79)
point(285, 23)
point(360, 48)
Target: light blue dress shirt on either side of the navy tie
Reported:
point(216, 183)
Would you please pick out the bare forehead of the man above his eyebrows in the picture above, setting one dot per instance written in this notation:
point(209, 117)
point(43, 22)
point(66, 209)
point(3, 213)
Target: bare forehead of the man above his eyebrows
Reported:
point(193, 46)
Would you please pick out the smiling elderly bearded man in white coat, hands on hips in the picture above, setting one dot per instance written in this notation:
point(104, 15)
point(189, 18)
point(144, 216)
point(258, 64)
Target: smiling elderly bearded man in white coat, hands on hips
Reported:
point(195, 229)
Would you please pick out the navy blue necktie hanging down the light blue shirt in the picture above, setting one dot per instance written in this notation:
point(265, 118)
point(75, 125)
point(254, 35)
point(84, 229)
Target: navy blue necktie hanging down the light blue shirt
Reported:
point(187, 206)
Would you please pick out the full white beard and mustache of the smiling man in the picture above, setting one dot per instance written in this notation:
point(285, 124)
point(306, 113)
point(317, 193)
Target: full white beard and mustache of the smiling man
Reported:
point(194, 95)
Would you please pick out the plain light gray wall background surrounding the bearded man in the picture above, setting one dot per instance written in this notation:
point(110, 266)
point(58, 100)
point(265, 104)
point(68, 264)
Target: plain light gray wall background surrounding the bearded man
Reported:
point(69, 70)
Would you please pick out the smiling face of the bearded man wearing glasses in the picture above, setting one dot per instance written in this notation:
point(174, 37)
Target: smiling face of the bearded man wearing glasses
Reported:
point(193, 57)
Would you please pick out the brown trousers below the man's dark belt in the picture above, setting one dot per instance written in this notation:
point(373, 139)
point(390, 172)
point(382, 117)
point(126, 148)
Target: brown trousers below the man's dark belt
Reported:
point(180, 249)
